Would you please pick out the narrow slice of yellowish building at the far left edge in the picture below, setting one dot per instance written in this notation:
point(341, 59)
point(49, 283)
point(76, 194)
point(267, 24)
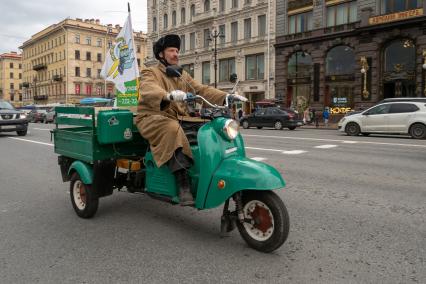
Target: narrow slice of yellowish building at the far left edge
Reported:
point(11, 77)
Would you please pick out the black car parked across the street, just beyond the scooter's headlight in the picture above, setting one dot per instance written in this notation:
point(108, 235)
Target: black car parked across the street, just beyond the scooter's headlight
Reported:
point(272, 117)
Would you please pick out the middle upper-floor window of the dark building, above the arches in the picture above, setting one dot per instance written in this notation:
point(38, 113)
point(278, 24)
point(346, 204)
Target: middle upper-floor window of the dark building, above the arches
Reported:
point(342, 14)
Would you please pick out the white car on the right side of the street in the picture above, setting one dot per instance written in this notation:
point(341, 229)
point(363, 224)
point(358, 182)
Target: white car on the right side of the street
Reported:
point(393, 116)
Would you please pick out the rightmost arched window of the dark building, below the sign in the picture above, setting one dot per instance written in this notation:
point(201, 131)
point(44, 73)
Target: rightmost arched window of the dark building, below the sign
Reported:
point(400, 55)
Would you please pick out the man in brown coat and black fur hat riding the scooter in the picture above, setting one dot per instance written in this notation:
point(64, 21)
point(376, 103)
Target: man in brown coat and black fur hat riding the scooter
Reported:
point(161, 107)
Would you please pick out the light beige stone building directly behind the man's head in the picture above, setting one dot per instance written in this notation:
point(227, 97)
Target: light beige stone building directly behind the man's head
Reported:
point(234, 34)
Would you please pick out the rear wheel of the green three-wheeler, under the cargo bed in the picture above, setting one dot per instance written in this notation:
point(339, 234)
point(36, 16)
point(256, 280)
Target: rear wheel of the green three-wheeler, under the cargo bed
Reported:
point(84, 200)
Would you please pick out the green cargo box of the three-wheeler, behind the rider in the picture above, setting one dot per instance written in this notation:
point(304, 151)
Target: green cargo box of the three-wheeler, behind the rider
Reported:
point(81, 140)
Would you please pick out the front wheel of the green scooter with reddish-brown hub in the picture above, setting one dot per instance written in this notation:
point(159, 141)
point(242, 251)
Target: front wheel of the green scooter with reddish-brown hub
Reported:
point(267, 223)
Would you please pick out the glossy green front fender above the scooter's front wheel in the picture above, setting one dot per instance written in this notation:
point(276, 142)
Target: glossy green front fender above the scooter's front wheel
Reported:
point(240, 173)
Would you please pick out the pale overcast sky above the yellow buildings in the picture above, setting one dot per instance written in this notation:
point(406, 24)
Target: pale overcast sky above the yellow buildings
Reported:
point(22, 18)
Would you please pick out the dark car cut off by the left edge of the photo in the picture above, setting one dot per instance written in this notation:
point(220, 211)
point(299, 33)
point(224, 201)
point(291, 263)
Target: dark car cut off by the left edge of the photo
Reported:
point(12, 120)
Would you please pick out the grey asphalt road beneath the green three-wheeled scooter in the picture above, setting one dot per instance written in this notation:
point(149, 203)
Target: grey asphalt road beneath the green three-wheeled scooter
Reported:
point(357, 210)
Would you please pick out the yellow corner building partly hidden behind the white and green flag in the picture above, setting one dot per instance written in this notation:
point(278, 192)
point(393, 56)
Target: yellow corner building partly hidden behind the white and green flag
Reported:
point(62, 63)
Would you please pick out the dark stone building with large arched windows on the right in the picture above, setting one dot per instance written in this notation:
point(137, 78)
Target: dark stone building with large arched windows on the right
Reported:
point(349, 54)
